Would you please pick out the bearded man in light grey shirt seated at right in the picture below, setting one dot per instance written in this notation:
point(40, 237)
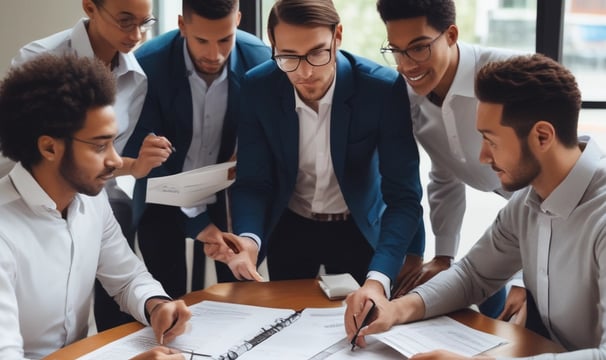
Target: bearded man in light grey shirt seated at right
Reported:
point(554, 229)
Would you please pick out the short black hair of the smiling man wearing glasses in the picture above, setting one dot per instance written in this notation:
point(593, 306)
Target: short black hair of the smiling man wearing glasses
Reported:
point(440, 14)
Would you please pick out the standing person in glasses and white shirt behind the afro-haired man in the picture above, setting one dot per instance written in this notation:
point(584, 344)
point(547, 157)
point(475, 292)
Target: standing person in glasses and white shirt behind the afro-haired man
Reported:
point(111, 30)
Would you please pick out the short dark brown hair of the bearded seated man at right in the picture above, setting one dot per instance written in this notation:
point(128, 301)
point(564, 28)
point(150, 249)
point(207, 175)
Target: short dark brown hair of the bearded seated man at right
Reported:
point(532, 88)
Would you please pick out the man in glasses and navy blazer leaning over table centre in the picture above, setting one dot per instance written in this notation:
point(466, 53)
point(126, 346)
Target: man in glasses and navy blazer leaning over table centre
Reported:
point(327, 164)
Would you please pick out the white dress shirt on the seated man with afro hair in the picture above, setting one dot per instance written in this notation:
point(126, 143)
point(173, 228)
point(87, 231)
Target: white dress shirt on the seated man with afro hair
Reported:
point(48, 266)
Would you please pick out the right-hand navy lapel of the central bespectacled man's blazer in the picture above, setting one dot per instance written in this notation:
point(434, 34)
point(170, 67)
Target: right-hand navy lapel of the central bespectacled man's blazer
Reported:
point(341, 115)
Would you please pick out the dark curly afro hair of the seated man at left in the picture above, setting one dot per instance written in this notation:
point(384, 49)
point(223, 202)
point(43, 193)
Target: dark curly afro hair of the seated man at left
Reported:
point(49, 95)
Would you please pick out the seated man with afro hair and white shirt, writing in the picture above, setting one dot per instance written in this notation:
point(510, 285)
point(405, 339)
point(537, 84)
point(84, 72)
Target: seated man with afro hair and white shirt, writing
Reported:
point(57, 230)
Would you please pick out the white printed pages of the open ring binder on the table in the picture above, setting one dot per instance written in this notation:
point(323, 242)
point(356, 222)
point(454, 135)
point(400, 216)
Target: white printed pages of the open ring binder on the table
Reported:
point(219, 327)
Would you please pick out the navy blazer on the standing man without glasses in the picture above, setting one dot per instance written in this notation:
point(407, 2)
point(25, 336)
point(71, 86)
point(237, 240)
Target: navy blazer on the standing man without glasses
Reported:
point(167, 109)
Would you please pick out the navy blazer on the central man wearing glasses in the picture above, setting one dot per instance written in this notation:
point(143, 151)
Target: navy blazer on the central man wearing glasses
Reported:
point(374, 155)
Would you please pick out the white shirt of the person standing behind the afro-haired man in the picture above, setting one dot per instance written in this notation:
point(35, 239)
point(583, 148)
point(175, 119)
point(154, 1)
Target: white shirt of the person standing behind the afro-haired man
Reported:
point(130, 79)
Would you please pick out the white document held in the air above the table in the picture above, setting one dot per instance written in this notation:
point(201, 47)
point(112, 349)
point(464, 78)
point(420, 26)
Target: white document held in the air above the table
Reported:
point(189, 188)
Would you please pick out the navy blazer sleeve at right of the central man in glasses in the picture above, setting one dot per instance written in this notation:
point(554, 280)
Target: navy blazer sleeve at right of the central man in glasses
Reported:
point(400, 183)
